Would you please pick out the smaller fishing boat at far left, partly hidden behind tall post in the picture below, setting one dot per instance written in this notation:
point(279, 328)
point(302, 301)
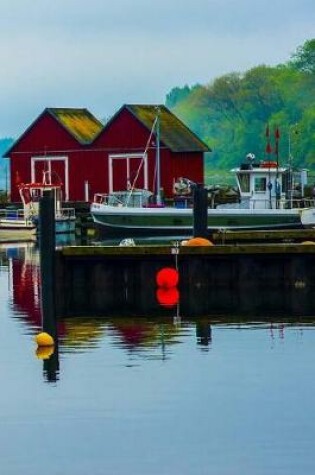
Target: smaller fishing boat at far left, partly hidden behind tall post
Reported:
point(23, 223)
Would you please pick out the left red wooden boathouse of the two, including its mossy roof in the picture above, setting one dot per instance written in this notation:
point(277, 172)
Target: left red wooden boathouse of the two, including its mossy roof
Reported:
point(57, 141)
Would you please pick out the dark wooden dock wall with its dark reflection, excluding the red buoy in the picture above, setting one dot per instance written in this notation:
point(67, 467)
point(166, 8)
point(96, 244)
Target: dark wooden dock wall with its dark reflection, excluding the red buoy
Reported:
point(255, 280)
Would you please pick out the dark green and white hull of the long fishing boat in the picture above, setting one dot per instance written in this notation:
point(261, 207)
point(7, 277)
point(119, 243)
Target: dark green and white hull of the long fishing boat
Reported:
point(172, 221)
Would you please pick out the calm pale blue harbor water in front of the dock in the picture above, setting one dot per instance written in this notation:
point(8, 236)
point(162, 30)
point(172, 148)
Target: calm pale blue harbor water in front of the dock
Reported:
point(151, 395)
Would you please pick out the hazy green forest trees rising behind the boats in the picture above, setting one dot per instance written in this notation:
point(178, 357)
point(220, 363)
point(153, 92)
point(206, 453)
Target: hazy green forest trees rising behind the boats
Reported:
point(233, 113)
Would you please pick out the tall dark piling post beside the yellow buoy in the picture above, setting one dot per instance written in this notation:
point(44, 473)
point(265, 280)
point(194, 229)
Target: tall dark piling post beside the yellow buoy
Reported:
point(47, 262)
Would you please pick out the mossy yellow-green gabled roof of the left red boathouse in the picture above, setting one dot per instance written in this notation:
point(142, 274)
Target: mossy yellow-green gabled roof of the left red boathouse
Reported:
point(79, 123)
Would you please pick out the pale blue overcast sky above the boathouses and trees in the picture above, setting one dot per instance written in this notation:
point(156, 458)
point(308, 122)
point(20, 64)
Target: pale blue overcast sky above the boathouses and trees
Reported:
point(101, 54)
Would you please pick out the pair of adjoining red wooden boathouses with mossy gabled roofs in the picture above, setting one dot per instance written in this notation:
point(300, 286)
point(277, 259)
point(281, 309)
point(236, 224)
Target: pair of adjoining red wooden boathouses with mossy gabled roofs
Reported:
point(88, 157)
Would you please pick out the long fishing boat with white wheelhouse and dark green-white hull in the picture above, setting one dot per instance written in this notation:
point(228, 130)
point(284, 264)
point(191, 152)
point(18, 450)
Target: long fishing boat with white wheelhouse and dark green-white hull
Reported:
point(270, 197)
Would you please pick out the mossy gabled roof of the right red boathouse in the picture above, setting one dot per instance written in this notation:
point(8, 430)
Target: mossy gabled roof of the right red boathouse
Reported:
point(174, 134)
